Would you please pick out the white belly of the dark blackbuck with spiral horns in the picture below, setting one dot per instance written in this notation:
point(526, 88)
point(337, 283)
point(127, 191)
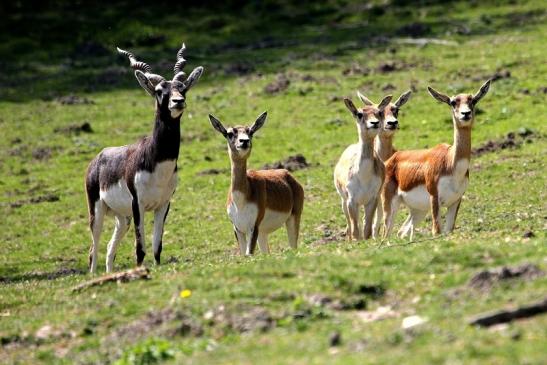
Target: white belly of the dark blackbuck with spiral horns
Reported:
point(156, 188)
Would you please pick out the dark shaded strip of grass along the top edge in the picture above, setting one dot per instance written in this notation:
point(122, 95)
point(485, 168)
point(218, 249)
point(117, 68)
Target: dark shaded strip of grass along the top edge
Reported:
point(53, 48)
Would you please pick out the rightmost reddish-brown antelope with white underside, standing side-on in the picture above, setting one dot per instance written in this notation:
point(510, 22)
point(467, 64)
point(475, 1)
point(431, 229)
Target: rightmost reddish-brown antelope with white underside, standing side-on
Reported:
point(437, 177)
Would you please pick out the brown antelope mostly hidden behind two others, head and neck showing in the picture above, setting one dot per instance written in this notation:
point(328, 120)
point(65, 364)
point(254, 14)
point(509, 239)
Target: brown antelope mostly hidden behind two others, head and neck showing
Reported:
point(383, 143)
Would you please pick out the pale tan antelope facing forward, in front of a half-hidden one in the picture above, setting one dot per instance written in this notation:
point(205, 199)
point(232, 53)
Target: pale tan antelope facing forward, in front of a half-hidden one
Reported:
point(359, 174)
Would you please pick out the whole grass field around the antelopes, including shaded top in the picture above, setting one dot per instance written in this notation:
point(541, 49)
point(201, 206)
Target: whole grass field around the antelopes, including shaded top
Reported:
point(267, 309)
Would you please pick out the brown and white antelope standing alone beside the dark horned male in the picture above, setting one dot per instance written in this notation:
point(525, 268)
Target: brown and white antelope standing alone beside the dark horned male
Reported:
point(259, 202)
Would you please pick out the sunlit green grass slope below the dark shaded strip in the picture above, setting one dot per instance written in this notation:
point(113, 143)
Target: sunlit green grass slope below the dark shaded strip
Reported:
point(505, 198)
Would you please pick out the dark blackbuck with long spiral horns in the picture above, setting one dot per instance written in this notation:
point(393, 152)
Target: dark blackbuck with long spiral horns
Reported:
point(126, 181)
